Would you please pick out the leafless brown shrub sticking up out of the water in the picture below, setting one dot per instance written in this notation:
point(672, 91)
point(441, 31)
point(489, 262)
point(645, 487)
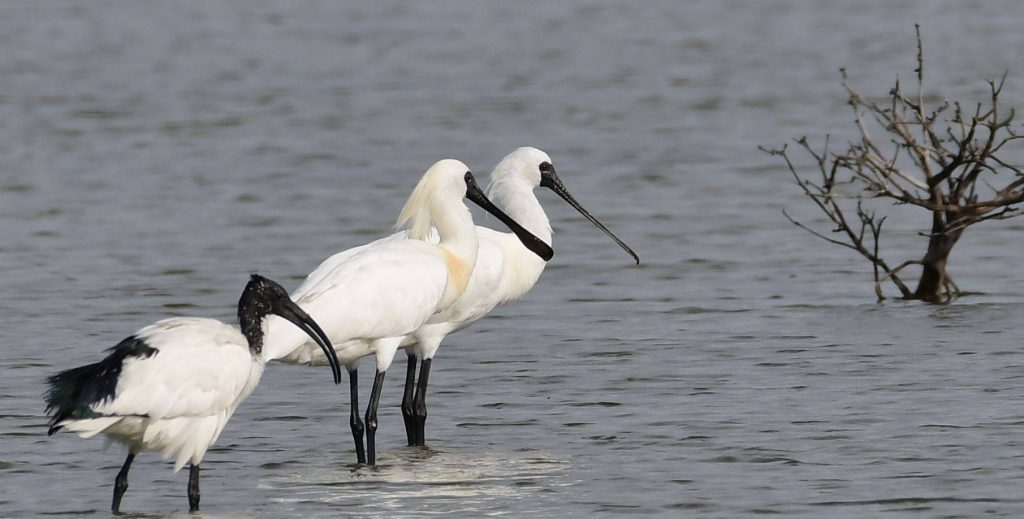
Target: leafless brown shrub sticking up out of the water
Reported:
point(953, 169)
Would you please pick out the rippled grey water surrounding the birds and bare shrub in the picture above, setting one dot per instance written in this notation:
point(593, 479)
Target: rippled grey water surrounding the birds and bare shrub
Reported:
point(153, 154)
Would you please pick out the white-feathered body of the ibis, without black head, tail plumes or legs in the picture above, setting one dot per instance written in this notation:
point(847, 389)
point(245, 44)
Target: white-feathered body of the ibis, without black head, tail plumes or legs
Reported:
point(179, 399)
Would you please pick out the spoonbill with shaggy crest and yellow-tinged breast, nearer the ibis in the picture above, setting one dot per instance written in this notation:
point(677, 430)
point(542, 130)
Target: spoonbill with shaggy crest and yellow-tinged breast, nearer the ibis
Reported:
point(370, 298)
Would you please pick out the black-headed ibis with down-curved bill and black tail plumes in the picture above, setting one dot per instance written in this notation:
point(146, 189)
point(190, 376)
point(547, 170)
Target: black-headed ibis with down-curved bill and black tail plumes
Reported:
point(174, 385)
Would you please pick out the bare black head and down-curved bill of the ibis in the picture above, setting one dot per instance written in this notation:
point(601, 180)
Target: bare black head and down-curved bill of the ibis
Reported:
point(264, 297)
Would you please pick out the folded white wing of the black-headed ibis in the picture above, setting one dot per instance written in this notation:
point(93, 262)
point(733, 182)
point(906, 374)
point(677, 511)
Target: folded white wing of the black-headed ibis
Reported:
point(200, 368)
